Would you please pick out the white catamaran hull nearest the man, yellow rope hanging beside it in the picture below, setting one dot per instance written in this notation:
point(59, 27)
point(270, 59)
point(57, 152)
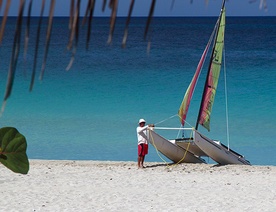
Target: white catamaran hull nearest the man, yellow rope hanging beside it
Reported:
point(171, 150)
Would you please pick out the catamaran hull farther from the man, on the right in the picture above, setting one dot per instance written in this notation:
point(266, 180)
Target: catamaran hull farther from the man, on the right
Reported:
point(217, 151)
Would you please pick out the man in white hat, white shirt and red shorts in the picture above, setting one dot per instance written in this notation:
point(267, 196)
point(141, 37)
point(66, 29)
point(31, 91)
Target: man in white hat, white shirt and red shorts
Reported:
point(142, 141)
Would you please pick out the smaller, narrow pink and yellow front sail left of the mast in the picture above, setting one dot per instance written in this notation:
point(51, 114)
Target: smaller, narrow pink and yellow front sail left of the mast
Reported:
point(183, 110)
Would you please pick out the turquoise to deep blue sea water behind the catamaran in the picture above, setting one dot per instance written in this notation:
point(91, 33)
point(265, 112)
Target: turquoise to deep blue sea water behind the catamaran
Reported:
point(91, 111)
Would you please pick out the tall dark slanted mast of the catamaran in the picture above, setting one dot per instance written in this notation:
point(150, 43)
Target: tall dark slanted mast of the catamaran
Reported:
point(210, 65)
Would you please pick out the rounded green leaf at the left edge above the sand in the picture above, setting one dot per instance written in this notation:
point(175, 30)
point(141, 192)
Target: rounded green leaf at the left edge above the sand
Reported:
point(13, 148)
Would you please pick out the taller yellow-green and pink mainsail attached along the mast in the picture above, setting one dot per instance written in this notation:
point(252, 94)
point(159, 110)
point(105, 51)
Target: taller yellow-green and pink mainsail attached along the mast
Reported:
point(213, 75)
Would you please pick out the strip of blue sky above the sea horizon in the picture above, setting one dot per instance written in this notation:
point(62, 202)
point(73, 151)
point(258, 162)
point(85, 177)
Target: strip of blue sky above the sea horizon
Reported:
point(181, 8)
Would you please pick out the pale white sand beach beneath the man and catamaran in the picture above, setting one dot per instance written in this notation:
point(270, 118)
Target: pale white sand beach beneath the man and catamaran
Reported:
point(120, 186)
